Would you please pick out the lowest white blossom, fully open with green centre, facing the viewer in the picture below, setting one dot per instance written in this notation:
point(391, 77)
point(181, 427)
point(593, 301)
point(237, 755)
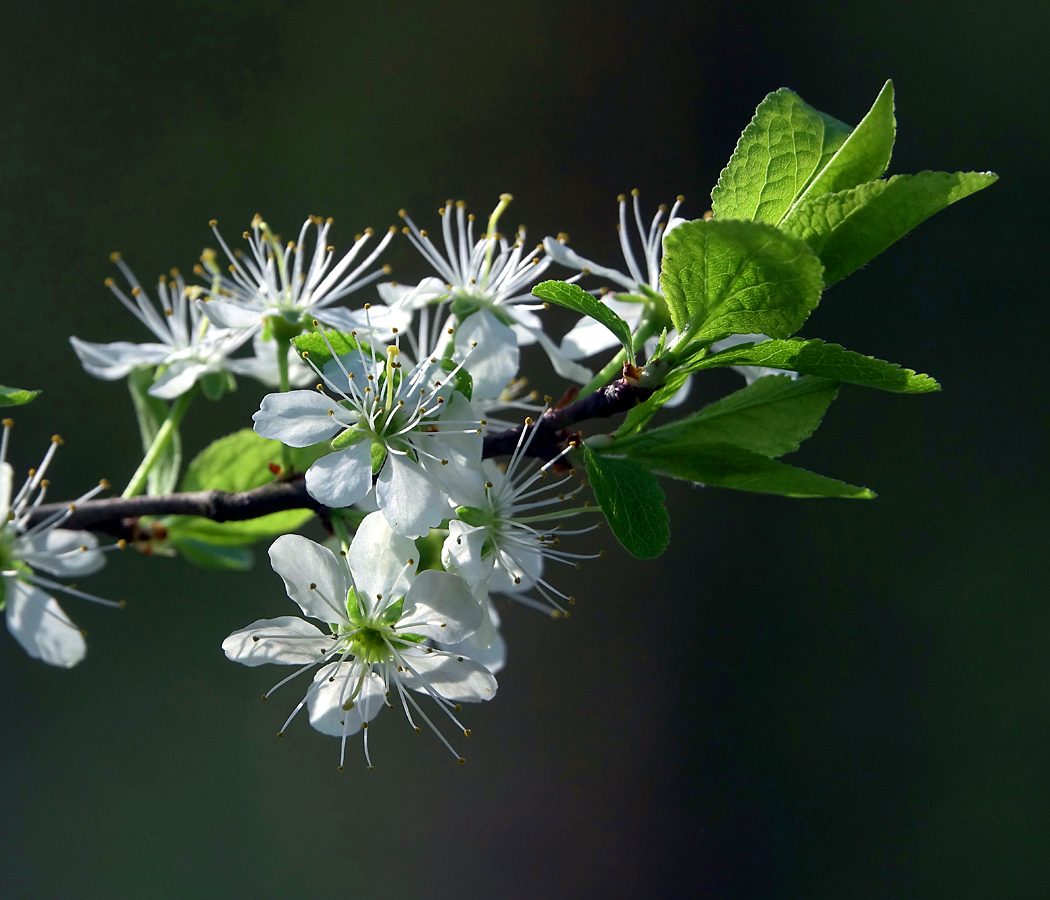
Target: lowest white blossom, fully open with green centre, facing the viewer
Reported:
point(381, 614)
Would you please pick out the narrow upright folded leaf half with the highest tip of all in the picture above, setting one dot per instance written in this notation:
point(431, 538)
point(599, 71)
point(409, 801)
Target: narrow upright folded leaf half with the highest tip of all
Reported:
point(864, 157)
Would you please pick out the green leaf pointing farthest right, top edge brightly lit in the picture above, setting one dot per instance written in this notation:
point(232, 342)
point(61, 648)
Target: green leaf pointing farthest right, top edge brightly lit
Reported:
point(850, 228)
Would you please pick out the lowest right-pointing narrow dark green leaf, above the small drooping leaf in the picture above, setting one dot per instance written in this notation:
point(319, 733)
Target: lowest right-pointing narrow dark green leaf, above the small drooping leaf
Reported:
point(725, 466)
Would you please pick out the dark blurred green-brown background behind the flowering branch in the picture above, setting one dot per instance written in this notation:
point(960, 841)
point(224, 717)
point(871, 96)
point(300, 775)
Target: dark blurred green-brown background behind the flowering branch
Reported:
point(801, 699)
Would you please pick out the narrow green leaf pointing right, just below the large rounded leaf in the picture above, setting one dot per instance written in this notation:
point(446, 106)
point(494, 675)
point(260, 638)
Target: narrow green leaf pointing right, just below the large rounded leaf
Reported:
point(829, 361)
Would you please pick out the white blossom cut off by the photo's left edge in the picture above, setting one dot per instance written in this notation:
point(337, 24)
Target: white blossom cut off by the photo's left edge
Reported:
point(34, 617)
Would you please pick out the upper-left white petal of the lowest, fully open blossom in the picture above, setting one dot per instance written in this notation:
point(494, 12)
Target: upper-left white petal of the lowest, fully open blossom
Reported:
point(302, 563)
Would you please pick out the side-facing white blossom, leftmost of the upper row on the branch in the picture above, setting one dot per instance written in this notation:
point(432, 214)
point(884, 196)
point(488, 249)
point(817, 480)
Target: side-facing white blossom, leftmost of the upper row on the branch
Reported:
point(191, 347)
